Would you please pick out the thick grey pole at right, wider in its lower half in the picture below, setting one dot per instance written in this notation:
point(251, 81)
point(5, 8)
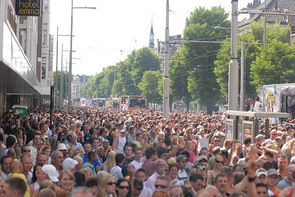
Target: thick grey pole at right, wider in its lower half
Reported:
point(233, 76)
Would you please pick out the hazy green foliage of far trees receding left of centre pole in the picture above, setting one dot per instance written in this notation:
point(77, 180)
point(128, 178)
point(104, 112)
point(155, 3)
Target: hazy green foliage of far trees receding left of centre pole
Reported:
point(124, 78)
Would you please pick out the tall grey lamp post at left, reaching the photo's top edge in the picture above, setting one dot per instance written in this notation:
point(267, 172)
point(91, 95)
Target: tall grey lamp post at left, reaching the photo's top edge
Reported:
point(71, 61)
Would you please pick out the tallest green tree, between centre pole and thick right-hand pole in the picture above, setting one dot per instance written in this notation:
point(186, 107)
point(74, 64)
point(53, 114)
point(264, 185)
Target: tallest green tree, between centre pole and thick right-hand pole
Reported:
point(200, 57)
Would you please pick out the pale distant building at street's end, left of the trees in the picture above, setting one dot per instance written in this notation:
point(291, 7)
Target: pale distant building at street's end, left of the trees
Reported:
point(78, 82)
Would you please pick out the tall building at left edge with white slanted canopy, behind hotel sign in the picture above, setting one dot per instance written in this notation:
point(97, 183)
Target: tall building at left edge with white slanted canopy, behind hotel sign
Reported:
point(26, 51)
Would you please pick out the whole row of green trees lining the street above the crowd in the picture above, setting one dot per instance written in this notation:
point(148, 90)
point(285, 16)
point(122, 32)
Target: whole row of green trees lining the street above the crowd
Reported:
point(199, 71)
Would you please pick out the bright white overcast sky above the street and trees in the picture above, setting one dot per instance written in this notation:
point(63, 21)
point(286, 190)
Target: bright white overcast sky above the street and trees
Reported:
point(107, 35)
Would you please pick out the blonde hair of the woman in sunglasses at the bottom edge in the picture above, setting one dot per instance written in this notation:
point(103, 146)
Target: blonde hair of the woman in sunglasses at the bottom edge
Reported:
point(102, 181)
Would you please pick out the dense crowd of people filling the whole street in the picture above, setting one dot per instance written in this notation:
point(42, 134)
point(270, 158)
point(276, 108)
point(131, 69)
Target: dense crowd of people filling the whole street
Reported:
point(105, 152)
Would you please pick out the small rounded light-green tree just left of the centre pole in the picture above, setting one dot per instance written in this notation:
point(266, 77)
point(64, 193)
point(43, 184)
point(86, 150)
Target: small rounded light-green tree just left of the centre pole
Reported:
point(149, 86)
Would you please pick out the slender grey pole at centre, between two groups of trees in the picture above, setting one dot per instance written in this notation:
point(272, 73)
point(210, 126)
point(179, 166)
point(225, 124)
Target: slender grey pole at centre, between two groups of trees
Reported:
point(166, 67)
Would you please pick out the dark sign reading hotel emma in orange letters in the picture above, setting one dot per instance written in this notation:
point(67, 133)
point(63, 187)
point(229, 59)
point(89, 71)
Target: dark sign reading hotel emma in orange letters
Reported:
point(27, 7)
